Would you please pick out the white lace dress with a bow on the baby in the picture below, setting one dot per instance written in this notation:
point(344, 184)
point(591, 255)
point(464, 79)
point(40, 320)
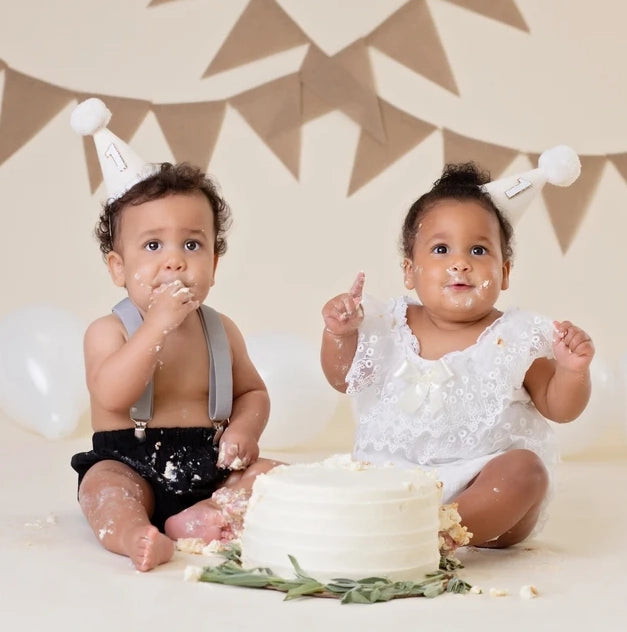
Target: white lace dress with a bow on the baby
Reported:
point(453, 414)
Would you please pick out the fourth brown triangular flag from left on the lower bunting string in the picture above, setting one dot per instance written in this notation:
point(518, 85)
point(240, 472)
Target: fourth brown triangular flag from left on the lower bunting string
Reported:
point(273, 110)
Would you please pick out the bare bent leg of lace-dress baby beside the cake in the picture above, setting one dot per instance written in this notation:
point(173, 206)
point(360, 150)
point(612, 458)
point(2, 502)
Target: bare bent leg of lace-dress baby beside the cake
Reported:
point(501, 505)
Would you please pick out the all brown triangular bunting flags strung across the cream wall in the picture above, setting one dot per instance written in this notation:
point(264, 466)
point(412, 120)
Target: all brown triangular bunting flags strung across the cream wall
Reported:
point(277, 110)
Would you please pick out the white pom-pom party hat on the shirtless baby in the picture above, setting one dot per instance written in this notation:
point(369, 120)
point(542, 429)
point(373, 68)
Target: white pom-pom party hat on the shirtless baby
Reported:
point(121, 167)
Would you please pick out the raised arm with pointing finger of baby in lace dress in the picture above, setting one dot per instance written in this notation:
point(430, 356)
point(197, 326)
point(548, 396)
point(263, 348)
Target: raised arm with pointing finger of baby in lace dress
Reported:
point(342, 316)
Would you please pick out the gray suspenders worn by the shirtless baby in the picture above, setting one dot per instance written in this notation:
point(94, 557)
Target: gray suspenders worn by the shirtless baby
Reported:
point(220, 373)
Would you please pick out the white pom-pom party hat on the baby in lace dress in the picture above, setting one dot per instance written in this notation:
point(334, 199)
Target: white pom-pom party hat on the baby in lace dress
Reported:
point(559, 166)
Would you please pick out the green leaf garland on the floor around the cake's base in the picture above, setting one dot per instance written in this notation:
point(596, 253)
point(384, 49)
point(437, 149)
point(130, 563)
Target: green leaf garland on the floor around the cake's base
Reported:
point(366, 590)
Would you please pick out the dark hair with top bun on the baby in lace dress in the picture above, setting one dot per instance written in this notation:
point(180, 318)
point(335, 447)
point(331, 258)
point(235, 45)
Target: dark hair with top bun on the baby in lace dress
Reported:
point(459, 182)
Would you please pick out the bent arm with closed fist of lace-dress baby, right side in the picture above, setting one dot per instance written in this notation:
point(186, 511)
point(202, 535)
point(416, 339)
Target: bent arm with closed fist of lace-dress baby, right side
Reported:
point(560, 388)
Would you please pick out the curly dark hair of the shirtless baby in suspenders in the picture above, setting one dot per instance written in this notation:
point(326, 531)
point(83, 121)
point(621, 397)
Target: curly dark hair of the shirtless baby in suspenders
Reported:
point(170, 179)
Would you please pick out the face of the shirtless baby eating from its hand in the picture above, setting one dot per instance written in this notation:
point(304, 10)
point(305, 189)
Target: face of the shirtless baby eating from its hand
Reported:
point(167, 240)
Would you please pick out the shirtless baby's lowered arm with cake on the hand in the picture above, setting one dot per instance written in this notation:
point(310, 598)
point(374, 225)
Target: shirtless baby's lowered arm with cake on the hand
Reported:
point(251, 406)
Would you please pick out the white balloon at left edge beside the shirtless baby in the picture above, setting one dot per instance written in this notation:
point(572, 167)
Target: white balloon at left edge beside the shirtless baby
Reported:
point(42, 378)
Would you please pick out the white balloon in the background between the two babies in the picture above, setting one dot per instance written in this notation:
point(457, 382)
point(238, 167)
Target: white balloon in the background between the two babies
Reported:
point(301, 400)
